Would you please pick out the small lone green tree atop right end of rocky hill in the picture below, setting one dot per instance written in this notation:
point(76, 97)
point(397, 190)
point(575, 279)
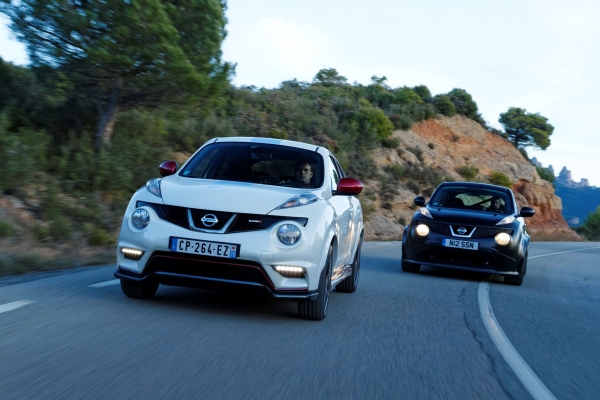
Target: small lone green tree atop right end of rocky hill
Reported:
point(526, 129)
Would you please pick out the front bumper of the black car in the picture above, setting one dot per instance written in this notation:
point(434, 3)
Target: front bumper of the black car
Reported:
point(489, 258)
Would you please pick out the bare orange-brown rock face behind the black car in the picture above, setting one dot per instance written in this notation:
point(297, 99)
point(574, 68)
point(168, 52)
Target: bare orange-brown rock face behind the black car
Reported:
point(446, 145)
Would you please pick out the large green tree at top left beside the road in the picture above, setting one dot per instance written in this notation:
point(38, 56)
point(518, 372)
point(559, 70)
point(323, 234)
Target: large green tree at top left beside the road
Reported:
point(122, 54)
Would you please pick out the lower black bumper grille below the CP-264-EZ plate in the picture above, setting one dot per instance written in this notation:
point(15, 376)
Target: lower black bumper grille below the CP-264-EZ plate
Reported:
point(207, 267)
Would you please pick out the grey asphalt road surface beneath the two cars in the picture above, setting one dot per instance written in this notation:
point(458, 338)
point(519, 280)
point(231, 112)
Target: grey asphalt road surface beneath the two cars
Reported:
point(400, 336)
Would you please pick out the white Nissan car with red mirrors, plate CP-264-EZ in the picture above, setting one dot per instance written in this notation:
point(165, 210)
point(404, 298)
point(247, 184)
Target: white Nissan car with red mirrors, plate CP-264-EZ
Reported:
point(256, 214)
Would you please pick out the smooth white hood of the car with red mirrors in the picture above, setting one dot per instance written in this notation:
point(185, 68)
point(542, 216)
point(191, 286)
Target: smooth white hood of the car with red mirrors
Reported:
point(219, 195)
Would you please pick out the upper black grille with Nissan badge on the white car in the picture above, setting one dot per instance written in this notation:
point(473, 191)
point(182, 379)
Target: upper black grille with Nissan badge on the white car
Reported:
point(242, 222)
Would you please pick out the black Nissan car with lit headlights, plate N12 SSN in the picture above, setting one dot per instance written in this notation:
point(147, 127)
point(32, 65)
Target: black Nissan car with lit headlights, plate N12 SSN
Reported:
point(469, 226)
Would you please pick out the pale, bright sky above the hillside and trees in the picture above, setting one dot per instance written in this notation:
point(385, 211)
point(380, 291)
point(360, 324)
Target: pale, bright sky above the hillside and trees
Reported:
point(541, 55)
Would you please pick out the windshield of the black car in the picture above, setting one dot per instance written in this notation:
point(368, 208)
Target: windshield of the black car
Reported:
point(473, 198)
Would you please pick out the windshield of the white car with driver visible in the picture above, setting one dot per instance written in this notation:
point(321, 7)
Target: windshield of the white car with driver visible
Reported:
point(265, 164)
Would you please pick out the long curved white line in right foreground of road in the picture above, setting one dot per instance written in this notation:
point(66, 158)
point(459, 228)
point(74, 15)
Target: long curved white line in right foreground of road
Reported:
point(525, 374)
